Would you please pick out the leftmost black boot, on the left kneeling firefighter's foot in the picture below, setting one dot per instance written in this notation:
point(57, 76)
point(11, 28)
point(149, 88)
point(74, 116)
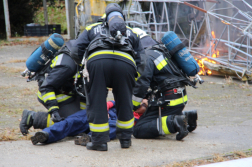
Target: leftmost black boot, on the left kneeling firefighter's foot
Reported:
point(26, 121)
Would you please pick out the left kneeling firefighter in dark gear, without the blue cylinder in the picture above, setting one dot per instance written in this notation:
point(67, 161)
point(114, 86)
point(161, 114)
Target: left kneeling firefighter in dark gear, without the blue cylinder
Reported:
point(56, 92)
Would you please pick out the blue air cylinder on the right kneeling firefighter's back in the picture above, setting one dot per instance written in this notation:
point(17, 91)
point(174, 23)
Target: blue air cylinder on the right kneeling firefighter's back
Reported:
point(182, 56)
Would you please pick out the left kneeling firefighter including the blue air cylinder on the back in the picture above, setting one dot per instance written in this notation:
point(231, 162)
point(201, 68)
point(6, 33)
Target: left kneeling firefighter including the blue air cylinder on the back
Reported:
point(56, 91)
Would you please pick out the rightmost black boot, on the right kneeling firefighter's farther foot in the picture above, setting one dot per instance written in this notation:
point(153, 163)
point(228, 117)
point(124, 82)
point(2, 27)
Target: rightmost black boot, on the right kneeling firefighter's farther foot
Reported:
point(192, 117)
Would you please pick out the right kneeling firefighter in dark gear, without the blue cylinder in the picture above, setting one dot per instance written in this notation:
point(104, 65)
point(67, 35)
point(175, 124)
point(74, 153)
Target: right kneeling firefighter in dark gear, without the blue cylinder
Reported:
point(167, 97)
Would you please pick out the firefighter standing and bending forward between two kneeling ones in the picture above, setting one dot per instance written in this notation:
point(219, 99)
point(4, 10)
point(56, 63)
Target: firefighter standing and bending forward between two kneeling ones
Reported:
point(112, 52)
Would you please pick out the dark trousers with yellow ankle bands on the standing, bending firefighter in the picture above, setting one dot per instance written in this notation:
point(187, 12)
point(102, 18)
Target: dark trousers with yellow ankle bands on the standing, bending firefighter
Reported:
point(120, 76)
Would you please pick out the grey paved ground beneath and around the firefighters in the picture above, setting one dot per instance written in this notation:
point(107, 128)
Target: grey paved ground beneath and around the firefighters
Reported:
point(224, 126)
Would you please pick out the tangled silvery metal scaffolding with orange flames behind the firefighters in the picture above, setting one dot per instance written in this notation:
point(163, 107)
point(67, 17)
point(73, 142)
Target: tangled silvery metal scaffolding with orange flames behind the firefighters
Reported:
point(217, 30)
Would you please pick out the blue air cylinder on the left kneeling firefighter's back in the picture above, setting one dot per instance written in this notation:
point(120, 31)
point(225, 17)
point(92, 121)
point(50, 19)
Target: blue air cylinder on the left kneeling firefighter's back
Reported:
point(46, 51)
